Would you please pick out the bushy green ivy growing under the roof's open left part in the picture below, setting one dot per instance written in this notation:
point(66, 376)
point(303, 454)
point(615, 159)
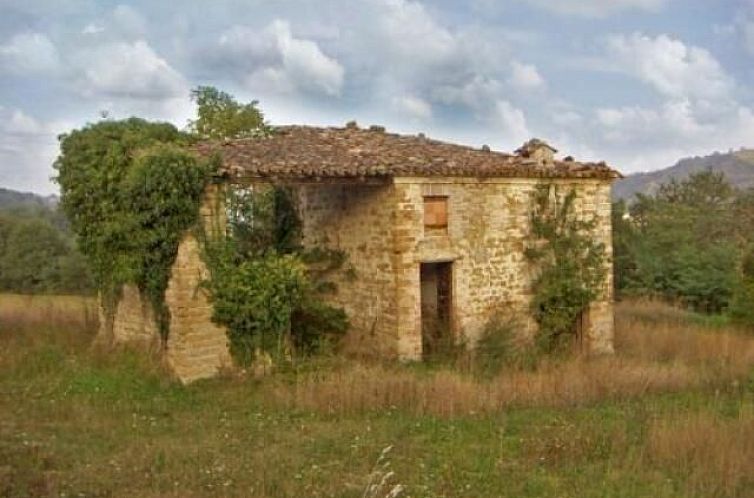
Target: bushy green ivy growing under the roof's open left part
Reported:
point(265, 287)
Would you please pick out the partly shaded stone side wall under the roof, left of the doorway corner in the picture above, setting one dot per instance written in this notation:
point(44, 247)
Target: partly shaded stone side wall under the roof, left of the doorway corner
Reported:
point(358, 220)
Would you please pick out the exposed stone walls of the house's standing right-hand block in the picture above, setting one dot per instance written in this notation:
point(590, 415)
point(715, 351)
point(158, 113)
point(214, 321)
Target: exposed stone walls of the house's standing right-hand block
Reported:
point(382, 230)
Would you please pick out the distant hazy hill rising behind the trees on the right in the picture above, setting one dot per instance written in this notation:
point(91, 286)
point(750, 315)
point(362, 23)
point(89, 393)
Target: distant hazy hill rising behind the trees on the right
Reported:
point(737, 166)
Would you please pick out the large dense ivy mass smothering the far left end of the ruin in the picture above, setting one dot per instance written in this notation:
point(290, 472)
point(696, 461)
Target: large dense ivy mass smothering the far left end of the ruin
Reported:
point(130, 188)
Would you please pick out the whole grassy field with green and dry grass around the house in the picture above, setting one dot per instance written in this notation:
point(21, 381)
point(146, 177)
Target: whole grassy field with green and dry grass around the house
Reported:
point(672, 414)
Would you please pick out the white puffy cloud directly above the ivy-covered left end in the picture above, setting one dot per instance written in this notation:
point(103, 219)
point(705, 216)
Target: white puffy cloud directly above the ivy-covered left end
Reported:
point(129, 70)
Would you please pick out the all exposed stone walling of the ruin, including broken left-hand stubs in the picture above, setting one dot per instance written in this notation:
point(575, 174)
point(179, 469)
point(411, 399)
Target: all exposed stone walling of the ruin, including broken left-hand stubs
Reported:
point(381, 229)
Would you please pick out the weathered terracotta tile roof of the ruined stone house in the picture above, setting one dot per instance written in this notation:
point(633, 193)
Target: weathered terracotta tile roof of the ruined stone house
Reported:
point(304, 152)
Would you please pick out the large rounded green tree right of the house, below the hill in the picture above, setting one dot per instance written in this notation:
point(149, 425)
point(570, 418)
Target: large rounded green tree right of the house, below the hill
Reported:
point(682, 243)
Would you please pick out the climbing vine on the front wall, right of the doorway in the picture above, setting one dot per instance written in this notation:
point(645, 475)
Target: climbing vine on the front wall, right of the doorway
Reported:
point(569, 262)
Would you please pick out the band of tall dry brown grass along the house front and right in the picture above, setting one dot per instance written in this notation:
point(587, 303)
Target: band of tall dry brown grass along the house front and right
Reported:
point(658, 350)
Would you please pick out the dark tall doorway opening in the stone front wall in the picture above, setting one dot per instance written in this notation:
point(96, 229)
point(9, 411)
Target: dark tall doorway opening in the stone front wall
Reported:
point(436, 306)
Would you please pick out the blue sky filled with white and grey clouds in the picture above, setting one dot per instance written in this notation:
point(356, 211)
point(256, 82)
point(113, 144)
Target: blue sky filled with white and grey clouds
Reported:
point(637, 83)
